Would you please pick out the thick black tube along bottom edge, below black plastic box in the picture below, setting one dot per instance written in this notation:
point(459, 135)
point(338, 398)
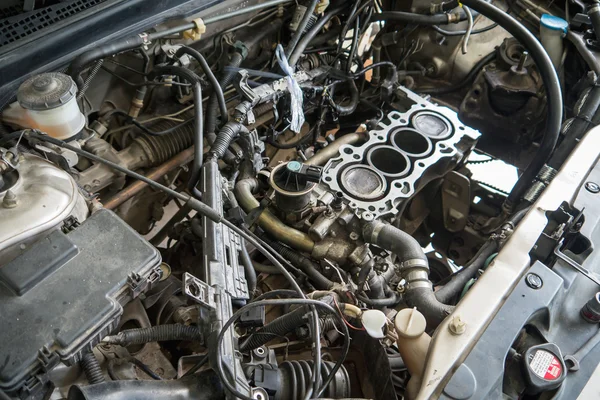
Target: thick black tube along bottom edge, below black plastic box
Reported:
point(205, 386)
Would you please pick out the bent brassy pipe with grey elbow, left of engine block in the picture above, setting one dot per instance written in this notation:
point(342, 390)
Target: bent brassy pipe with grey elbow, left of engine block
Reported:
point(269, 222)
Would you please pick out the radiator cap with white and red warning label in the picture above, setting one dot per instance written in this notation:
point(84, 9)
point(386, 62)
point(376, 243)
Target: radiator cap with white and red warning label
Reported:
point(544, 368)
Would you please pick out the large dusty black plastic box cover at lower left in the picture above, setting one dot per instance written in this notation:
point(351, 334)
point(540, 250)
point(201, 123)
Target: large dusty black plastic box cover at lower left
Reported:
point(66, 293)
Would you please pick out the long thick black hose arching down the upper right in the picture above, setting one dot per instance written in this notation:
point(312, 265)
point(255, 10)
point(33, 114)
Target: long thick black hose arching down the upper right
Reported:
point(549, 77)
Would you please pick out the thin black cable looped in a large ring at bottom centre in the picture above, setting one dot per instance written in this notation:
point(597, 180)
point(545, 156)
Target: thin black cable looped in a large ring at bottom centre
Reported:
point(315, 303)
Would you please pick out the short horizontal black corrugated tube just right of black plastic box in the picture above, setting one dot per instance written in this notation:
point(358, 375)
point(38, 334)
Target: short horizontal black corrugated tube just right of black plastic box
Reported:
point(157, 333)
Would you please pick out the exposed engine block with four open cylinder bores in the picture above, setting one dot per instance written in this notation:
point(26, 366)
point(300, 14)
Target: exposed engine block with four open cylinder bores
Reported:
point(404, 152)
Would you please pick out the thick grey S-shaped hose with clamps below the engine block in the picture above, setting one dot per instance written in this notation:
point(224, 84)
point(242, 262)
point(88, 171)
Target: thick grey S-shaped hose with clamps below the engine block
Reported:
point(415, 269)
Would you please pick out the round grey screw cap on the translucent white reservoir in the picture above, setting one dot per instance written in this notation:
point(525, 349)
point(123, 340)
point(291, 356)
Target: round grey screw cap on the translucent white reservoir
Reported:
point(46, 91)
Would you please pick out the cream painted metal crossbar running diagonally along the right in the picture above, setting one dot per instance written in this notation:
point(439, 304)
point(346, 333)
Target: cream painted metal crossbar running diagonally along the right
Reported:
point(483, 301)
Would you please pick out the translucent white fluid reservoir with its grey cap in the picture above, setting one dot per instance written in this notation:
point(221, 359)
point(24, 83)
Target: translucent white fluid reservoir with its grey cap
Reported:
point(47, 102)
